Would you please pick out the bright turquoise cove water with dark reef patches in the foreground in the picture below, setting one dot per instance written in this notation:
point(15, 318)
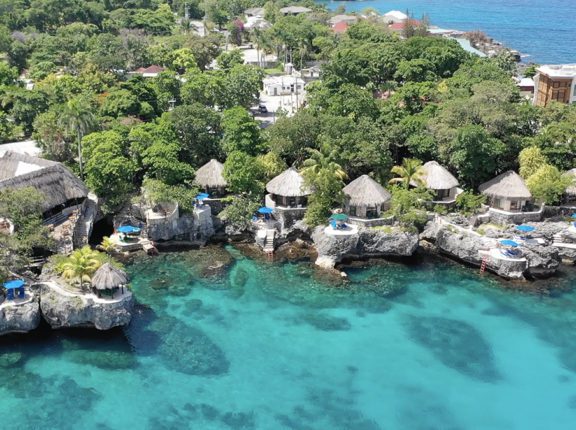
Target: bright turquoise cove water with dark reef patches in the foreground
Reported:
point(221, 341)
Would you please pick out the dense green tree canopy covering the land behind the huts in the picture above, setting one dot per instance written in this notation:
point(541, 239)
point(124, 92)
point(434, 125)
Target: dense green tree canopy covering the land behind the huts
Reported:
point(382, 99)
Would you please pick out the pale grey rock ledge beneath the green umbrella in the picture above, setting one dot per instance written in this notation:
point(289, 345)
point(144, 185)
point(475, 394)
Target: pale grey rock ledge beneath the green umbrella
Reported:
point(368, 242)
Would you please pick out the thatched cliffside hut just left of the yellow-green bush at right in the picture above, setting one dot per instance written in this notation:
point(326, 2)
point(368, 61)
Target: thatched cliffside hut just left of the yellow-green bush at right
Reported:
point(507, 192)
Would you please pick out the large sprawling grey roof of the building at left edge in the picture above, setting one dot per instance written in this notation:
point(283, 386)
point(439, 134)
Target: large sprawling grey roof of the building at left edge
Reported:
point(53, 180)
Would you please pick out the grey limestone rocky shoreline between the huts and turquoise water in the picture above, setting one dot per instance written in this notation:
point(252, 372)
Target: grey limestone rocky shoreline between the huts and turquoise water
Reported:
point(450, 236)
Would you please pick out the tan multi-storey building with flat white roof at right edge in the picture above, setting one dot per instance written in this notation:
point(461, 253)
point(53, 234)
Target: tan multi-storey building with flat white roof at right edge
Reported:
point(555, 83)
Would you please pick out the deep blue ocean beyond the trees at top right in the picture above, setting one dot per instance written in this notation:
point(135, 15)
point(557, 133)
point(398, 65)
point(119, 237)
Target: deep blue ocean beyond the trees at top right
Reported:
point(544, 30)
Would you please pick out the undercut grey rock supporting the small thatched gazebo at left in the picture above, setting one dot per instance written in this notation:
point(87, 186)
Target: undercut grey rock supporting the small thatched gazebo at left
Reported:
point(62, 309)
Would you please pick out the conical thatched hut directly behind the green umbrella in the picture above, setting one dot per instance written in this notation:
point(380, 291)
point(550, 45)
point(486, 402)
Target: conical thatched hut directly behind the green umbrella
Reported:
point(365, 198)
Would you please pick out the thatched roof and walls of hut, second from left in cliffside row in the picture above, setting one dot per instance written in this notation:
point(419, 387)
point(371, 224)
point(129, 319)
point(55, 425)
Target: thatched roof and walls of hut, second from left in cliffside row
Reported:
point(287, 190)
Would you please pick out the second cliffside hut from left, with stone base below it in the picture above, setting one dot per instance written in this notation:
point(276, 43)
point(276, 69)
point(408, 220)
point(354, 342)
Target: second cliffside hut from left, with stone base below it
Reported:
point(288, 196)
